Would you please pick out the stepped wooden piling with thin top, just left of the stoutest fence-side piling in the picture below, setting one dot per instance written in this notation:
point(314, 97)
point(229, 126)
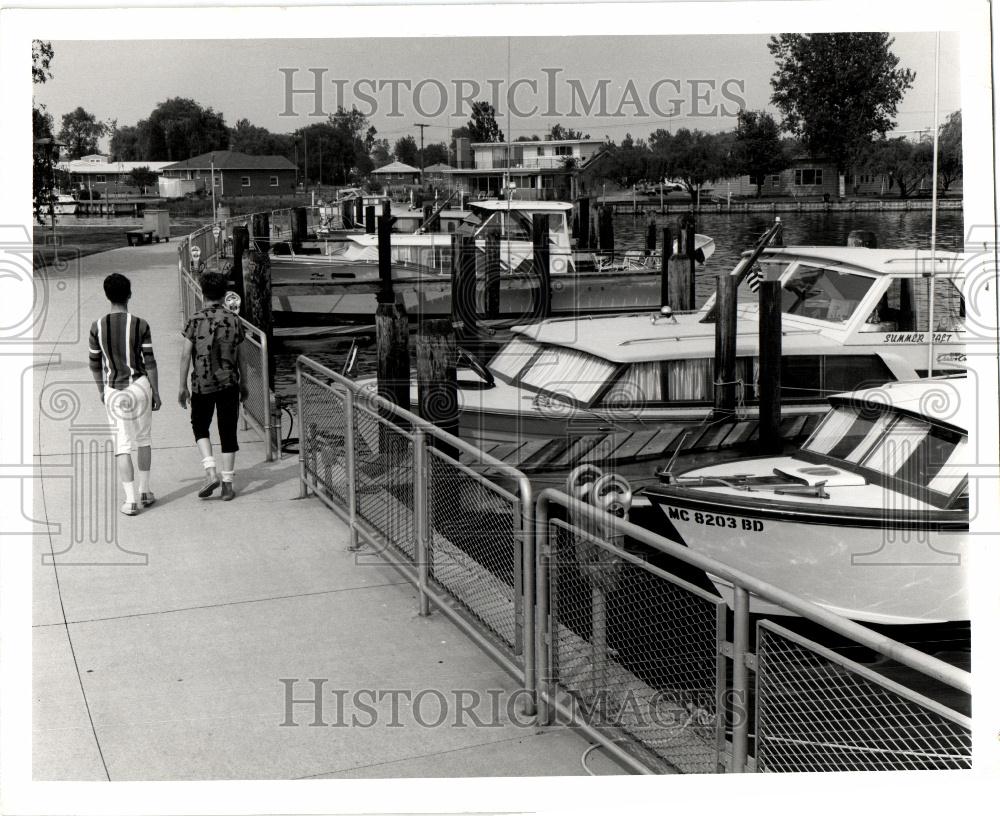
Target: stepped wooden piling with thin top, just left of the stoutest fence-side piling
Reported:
point(392, 330)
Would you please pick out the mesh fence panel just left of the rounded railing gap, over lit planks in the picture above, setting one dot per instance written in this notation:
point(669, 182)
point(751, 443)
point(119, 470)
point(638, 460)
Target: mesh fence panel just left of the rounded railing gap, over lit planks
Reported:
point(474, 550)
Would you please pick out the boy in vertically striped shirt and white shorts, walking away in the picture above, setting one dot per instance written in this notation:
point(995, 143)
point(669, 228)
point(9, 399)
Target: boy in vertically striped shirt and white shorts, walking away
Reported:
point(124, 368)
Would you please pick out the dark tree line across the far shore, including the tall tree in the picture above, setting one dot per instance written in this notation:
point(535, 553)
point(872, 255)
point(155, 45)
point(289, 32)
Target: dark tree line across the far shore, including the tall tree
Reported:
point(837, 94)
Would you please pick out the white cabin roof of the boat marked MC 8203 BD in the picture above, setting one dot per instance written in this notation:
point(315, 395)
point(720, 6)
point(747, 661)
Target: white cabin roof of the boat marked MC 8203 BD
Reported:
point(942, 400)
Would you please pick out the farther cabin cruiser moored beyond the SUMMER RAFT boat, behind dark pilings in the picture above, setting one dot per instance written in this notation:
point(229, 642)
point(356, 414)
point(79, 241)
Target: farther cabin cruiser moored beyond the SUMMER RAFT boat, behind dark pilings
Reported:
point(338, 285)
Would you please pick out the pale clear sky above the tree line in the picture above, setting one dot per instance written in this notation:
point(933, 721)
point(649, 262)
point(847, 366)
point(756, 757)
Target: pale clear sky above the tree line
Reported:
point(646, 82)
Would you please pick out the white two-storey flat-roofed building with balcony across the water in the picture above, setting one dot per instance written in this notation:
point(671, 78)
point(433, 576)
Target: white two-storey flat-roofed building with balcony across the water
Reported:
point(542, 170)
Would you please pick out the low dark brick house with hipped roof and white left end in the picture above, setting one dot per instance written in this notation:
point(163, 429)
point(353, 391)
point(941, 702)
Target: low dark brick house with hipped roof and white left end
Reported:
point(234, 174)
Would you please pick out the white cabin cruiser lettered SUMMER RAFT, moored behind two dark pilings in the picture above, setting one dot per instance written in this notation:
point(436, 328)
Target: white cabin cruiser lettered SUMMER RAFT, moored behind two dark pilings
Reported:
point(851, 317)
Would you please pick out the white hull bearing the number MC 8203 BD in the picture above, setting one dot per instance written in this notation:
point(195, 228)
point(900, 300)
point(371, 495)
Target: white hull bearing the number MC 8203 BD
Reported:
point(877, 565)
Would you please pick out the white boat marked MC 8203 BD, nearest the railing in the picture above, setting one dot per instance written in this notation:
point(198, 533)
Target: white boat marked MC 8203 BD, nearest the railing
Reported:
point(869, 519)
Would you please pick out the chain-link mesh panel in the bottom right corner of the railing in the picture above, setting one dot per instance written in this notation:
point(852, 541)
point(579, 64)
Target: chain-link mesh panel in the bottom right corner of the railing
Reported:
point(818, 711)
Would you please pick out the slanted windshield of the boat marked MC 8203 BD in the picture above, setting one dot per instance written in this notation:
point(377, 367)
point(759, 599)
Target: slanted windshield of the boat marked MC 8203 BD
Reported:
point(903, 447)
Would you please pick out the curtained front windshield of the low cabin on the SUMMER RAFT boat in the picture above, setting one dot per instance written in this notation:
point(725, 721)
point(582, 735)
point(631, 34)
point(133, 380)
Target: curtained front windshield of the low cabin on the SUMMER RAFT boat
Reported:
point(555, 370)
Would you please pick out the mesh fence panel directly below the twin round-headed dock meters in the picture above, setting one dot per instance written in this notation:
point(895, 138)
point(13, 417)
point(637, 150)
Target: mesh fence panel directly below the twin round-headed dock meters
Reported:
point(638, 650)
